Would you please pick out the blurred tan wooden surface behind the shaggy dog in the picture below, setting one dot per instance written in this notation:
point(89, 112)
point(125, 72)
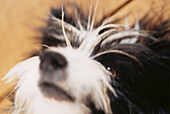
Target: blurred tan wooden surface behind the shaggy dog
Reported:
point(18, 18)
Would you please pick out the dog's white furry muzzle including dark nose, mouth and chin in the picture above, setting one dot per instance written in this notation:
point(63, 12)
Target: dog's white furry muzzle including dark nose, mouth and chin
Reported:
point(65, 78)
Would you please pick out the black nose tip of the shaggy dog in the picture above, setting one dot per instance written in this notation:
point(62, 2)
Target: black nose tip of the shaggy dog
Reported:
point(52, 61)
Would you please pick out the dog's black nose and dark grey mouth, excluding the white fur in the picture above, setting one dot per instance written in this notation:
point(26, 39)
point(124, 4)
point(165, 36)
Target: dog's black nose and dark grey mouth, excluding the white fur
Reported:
point(53, 72)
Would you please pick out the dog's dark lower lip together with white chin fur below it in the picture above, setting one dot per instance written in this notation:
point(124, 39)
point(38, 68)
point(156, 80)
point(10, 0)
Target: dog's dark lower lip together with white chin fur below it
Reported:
point(56, 100)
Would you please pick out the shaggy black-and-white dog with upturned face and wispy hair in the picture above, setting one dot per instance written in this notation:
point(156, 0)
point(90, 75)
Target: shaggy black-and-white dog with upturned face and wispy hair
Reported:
point(105, 68)
